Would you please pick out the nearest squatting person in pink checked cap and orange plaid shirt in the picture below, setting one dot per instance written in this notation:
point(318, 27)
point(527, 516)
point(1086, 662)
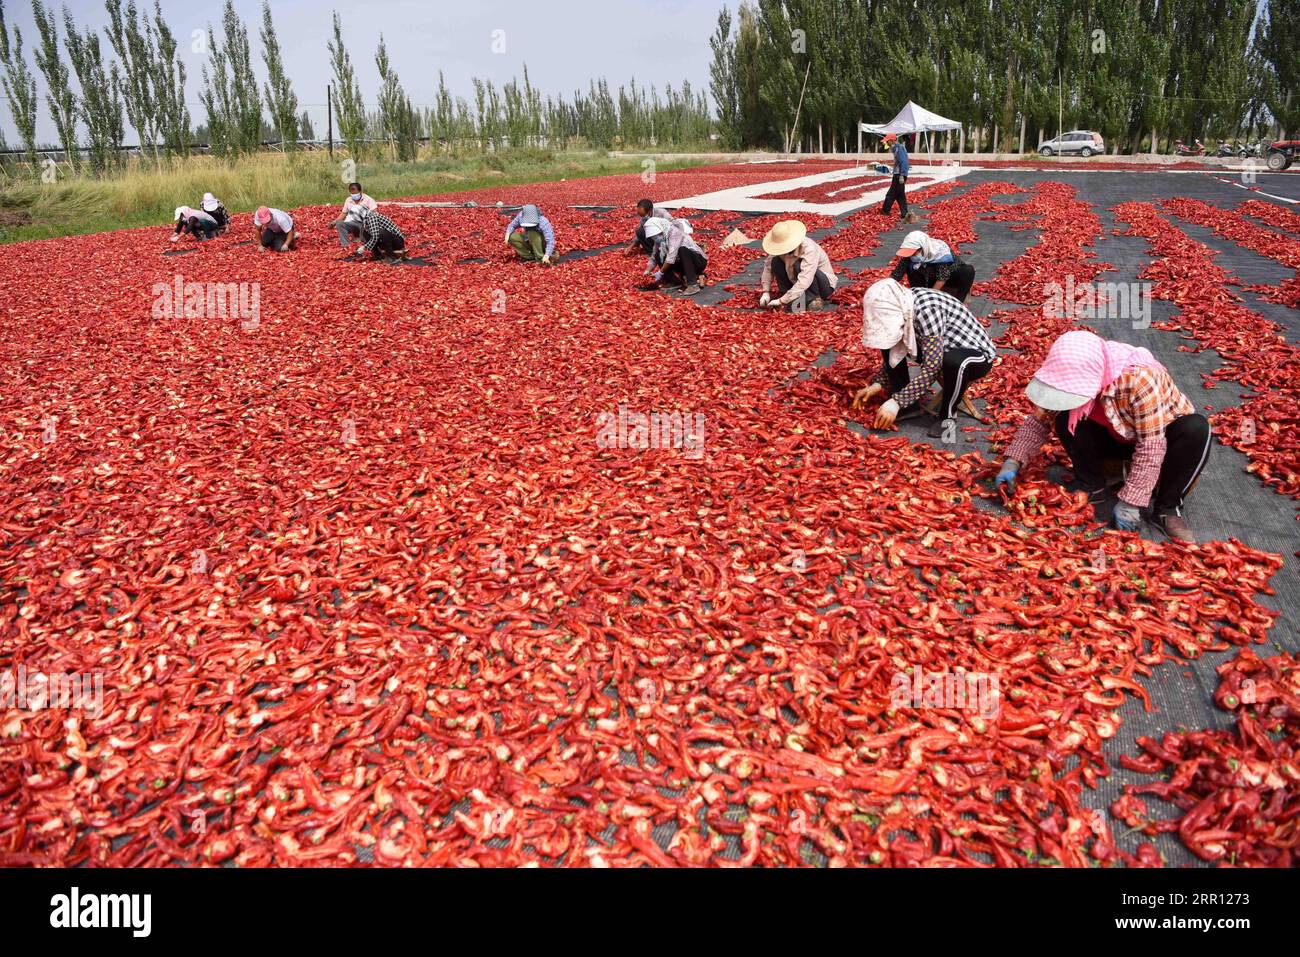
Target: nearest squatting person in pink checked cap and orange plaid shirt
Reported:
point(1111, 401)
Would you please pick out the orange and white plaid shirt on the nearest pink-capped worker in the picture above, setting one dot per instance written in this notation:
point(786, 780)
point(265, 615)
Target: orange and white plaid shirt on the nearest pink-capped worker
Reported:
point(1138, 408)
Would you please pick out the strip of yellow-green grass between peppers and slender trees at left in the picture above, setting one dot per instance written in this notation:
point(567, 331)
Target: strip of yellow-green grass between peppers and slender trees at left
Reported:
point(144, 196)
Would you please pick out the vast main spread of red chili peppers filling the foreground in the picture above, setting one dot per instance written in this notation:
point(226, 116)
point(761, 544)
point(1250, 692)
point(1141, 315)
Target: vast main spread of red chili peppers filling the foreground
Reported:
point(363, 586)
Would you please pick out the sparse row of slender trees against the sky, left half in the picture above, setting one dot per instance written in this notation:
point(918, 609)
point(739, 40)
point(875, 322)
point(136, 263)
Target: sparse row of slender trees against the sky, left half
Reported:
point(142, 84)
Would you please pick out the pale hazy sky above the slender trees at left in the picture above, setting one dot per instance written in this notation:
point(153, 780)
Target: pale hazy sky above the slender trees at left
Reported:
point(565, 44)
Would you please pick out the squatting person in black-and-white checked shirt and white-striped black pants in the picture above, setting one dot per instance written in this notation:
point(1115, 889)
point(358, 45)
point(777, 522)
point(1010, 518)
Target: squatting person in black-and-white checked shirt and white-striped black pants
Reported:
point(937, 331)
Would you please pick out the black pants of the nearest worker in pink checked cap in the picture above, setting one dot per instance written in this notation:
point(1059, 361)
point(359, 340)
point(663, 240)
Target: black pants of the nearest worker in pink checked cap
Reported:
point(1189, 449)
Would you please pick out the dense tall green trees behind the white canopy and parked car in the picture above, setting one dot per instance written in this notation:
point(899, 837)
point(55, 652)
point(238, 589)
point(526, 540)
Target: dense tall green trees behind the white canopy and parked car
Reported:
point(1139, 72)
